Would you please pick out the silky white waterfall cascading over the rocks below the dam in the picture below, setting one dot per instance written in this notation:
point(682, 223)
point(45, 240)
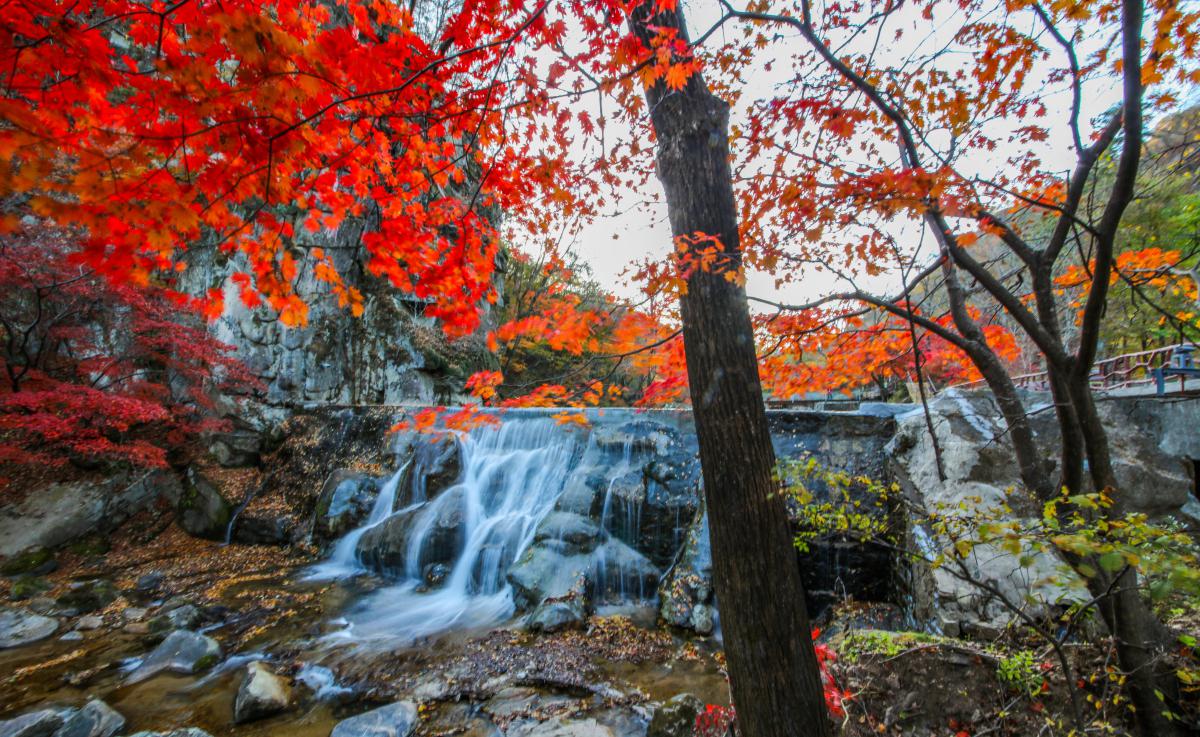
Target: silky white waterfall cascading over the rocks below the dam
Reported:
point(512, 476)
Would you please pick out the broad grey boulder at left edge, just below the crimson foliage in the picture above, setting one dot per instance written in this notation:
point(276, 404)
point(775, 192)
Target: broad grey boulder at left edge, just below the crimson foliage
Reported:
point(64, 512)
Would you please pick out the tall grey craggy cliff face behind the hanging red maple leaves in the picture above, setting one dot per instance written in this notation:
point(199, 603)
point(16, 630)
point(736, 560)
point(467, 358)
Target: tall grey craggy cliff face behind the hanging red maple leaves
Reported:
point(392, 355)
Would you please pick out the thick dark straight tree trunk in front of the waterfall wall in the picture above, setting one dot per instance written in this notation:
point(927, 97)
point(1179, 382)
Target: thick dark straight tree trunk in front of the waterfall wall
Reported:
point(773, 670)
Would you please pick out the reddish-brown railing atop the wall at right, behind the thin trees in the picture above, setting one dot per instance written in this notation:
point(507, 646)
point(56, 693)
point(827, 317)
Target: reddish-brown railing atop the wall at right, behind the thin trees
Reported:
point(1131, 372)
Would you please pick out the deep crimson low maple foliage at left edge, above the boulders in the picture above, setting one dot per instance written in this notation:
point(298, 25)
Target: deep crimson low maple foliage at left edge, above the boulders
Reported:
point(95, 372)
